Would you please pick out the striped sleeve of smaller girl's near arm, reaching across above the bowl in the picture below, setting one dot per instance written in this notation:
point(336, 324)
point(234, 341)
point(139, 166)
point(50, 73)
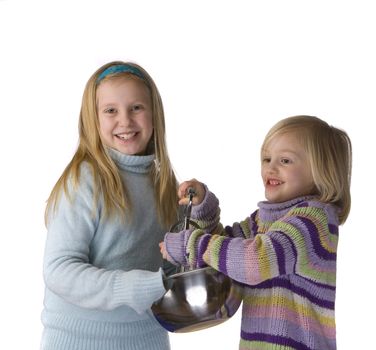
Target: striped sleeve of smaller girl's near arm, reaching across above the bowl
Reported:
point(302, 242)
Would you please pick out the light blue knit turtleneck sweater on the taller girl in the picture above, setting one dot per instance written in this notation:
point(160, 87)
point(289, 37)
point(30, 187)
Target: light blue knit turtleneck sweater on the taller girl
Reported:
point(102, 275)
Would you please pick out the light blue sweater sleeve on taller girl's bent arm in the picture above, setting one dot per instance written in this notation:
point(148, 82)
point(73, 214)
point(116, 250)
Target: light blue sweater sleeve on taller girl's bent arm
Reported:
point(68, 271)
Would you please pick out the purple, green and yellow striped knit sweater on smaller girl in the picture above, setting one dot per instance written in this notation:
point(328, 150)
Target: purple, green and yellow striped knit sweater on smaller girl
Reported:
point(284, 256)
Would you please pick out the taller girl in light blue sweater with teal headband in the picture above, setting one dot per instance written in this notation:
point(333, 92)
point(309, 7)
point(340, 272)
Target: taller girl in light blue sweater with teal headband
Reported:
point(105, 217)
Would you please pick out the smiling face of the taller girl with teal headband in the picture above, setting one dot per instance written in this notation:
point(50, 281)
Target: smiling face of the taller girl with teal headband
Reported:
point(124, 110)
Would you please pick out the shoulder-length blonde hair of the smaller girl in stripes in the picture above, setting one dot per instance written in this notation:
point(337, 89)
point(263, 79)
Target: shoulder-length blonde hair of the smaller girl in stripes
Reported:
point(330, 154)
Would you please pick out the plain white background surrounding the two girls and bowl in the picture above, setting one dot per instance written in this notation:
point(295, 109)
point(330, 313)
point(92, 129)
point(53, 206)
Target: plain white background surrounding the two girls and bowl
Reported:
point(227, 71)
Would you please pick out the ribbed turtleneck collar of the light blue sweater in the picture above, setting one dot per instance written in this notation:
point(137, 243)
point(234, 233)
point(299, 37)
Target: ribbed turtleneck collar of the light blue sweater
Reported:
point(134, 164)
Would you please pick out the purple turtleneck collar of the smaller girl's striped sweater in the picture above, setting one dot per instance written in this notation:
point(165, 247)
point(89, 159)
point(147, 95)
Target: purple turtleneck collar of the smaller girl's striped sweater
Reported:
point(273, 211)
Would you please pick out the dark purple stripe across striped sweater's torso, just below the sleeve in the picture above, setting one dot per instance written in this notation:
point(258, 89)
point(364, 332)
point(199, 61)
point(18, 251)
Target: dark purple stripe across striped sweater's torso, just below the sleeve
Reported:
point(286, 283)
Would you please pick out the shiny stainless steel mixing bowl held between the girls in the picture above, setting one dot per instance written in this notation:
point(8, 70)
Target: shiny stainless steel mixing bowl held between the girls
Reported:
point(195, 300)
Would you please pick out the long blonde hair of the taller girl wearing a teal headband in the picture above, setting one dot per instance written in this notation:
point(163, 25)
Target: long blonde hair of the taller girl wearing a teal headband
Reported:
point(107, 181)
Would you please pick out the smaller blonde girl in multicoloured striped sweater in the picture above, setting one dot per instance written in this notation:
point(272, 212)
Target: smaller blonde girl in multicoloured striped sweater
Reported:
point(284, 254)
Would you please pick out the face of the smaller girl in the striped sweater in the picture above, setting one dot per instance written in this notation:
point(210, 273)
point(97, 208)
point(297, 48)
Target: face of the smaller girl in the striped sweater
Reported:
point(285, 169)
